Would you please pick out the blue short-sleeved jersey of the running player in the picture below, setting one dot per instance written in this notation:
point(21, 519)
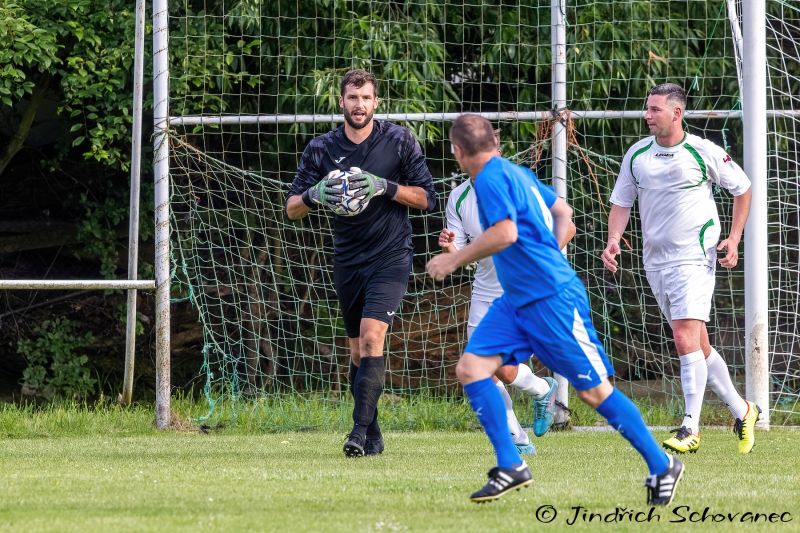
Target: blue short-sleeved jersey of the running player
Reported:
point(533, 267)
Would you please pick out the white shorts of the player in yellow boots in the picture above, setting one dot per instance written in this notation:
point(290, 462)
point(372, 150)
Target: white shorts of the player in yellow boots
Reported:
point(683, 291)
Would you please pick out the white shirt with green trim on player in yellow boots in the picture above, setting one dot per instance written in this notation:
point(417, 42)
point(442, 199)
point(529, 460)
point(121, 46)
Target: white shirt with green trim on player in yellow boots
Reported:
point(680, 224)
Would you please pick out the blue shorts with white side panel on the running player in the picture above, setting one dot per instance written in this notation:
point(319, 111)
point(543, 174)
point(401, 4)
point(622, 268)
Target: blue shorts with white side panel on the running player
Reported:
point(558, 330)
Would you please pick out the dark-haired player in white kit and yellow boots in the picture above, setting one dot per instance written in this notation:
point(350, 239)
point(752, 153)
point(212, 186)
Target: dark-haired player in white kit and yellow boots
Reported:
point(672, 172)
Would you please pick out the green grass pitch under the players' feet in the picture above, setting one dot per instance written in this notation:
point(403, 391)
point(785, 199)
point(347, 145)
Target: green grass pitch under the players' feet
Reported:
point(76, 470)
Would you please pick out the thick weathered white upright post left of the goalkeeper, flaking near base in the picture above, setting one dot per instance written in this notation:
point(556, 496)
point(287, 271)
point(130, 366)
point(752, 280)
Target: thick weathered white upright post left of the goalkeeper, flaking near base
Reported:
point(161, 176)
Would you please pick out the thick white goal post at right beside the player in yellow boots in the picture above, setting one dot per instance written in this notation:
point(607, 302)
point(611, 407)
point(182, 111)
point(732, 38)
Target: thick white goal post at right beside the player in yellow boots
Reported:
point(756, 286)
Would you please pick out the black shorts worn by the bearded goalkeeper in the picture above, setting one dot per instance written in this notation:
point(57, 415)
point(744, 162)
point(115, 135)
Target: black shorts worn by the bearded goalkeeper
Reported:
point(373, 291)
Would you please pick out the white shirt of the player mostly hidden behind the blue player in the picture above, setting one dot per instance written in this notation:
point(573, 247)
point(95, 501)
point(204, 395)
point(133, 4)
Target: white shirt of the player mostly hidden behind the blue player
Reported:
point(463, 220)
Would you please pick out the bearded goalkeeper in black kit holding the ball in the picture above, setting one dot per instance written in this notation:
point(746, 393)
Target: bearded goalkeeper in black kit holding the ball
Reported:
point(372, 249)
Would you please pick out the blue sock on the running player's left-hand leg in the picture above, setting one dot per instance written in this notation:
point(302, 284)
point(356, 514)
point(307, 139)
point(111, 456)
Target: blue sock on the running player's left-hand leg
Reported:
point(488, 405)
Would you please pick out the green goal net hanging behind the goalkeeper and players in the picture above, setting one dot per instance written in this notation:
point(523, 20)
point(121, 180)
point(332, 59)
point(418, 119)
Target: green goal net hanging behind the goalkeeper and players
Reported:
point(251, 82)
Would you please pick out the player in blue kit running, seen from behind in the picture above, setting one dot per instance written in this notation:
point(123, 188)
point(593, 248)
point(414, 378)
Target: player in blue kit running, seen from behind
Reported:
point(544, 310)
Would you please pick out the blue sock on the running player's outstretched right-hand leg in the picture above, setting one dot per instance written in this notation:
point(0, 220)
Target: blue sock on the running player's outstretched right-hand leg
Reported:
point(625, 417)
